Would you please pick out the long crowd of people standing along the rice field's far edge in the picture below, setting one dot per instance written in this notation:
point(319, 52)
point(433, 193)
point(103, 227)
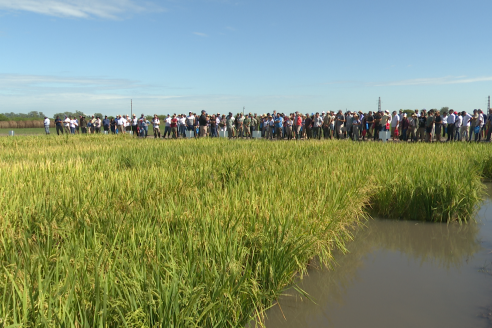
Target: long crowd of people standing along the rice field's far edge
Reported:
point(424, 126)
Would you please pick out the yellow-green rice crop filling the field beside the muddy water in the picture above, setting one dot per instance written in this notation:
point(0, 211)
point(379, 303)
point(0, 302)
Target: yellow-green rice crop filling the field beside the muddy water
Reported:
point(110, 231)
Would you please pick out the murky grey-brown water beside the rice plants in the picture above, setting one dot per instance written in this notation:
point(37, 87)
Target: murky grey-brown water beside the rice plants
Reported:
point(400, 274)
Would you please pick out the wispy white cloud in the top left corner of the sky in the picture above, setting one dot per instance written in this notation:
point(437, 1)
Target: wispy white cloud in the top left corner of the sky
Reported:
point(111, 9)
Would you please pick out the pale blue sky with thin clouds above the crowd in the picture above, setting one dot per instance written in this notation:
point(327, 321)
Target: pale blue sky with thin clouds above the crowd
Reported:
point(219, 55)
